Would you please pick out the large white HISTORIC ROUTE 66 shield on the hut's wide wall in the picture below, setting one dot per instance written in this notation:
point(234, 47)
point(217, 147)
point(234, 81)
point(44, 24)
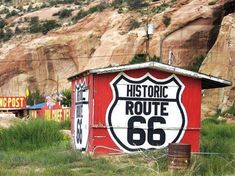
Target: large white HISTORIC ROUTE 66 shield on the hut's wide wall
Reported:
point(146, 113)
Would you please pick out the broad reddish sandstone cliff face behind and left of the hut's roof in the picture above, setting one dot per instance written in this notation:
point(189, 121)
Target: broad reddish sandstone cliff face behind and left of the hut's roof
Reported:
point(104, 39)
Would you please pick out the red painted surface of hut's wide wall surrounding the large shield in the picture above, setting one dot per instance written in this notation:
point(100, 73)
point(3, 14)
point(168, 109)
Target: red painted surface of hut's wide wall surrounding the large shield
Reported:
point(103, 141)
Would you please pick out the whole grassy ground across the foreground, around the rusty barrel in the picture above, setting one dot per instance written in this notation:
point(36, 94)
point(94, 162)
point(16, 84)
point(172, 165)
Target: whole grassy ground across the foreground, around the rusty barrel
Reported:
point(61, 159)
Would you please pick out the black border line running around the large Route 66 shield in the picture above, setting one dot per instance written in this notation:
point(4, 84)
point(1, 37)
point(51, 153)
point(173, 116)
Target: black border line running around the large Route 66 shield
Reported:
point(141, 81)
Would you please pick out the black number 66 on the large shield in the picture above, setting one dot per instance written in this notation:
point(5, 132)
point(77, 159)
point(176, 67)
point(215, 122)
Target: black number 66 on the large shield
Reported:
point(150, 131)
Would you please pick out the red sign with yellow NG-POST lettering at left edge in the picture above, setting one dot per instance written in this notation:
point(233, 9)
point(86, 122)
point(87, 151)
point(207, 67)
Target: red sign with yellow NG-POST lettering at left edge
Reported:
point(13, 102)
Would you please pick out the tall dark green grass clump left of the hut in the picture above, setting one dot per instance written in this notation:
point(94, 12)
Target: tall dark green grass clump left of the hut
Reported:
point(30, 135)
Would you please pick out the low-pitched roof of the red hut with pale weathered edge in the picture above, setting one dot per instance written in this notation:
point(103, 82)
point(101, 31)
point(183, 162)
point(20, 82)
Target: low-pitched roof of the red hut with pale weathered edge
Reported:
point(208, 81)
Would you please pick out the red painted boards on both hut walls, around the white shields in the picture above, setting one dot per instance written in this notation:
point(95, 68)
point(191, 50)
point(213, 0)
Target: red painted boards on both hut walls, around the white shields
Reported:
point(101, 96)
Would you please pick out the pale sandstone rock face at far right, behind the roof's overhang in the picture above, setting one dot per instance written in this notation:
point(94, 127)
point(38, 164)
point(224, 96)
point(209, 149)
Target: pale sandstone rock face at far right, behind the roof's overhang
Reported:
point(220, 62)
